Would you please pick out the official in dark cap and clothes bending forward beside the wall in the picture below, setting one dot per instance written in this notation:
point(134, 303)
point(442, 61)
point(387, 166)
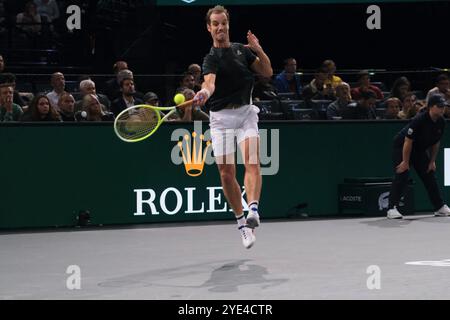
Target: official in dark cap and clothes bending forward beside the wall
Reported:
point(418, 144)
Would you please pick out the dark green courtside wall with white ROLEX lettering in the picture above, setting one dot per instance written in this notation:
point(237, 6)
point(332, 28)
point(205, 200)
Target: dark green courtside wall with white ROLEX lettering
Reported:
point(51, 172)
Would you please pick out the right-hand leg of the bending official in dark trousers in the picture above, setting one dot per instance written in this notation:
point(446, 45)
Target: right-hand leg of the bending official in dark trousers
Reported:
point(430, 183)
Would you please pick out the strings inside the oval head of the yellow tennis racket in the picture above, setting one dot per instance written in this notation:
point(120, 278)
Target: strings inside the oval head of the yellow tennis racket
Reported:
point(137, 123)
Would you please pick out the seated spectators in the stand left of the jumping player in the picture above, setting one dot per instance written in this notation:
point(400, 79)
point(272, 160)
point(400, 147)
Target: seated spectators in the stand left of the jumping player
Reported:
point(86, 103)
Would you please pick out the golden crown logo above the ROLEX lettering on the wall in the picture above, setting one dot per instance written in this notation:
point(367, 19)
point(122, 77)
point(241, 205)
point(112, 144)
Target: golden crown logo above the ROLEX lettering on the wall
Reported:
point(195, 160)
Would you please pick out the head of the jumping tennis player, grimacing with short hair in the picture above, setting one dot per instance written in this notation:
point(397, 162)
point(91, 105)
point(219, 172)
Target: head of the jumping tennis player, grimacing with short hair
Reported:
point(217, 23)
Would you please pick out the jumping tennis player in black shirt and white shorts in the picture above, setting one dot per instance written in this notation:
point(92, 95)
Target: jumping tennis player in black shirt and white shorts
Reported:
point(228, 73)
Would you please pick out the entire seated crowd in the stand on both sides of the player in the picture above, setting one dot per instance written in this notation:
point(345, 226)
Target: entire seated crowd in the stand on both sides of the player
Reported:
point(326, 96)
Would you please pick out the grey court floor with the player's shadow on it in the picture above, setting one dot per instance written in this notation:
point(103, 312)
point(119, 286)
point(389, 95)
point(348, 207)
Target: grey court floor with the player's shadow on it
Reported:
point(369, 258)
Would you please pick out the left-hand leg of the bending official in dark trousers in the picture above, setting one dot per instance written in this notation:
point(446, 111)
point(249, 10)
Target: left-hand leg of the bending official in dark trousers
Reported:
point(398, 187)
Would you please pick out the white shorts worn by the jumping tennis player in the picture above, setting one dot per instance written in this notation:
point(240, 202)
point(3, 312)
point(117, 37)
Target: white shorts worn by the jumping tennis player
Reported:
point(229, 126)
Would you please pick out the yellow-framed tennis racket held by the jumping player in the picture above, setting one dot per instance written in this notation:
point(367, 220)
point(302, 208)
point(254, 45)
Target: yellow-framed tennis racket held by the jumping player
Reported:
point(139, 122)
